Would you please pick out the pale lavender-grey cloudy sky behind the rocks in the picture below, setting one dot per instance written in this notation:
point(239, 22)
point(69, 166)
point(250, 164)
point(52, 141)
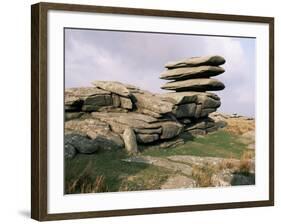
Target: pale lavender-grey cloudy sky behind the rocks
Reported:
point(138, 58)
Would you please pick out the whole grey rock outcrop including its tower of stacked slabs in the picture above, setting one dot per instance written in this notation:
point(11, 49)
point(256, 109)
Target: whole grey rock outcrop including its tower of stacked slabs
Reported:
point(112, 115)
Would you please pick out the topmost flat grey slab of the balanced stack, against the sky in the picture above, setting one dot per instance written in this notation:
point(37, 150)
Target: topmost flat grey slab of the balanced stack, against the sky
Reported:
point(214, 60)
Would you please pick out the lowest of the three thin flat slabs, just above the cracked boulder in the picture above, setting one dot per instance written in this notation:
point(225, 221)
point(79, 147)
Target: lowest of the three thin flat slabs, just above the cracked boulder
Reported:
point(194, 85)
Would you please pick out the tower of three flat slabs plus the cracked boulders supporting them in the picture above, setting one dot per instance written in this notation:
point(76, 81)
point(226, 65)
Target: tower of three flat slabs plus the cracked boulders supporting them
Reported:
point(191, 79)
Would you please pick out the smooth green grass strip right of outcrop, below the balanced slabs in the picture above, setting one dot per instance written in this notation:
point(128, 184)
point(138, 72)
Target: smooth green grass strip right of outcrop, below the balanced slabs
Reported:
point(217, 144)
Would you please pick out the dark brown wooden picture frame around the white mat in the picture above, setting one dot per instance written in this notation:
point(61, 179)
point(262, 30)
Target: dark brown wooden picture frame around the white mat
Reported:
point(39, 110)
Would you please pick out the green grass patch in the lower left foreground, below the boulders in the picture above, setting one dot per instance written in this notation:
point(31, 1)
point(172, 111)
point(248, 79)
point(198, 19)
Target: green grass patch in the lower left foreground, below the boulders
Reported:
point(117, 174)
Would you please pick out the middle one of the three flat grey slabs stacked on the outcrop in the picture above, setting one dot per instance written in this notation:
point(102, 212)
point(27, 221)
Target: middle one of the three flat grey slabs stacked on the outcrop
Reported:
point(191, 72)
